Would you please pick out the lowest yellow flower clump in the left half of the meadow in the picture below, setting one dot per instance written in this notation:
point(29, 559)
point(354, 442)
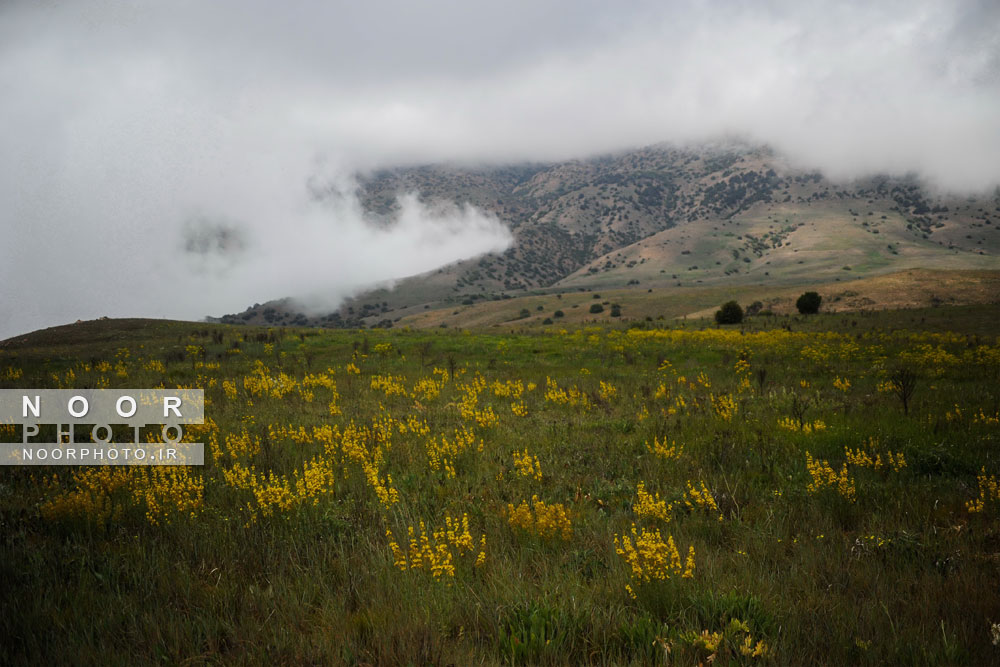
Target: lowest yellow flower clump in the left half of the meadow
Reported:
point(433, 551)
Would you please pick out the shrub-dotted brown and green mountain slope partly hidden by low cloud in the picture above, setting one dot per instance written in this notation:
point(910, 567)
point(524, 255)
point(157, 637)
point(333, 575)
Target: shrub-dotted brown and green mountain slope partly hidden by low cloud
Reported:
point(667, 217)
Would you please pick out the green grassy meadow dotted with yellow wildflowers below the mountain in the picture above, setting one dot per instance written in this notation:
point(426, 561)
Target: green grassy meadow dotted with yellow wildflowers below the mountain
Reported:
point(792, 491)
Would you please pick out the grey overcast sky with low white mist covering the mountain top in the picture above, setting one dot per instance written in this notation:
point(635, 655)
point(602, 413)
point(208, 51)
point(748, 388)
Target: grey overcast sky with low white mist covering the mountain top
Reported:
point(129, 129)
